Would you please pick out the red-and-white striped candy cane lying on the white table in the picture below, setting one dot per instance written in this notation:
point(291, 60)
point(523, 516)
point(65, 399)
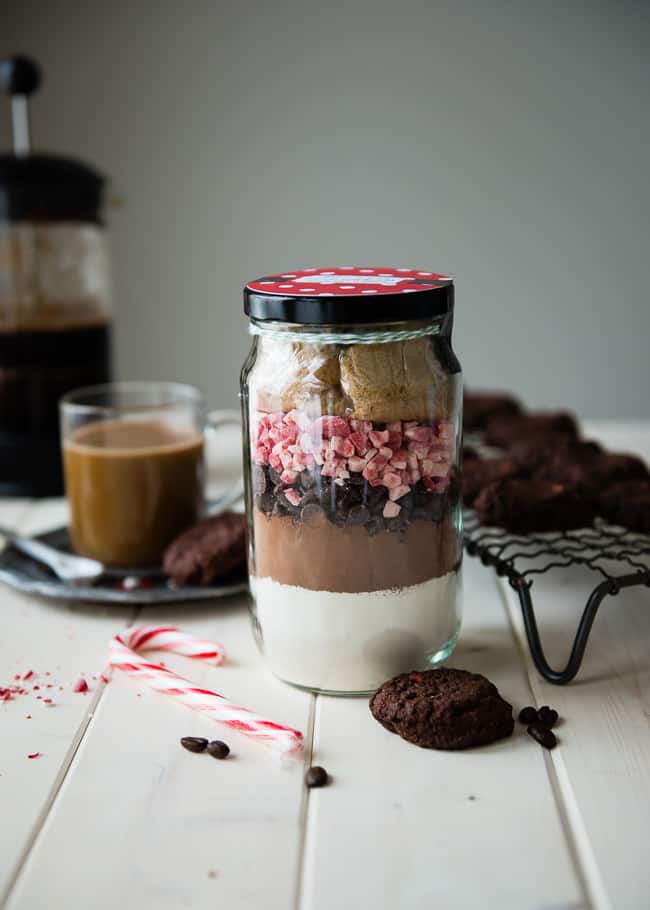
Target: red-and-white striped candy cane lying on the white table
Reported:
point(122, 657)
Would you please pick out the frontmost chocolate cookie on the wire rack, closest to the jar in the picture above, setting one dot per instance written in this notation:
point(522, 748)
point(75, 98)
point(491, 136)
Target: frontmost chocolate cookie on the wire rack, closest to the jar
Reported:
point(525, 506)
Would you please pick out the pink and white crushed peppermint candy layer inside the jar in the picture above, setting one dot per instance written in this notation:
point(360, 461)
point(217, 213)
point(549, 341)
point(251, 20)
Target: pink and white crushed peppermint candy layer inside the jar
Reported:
point(396, 456)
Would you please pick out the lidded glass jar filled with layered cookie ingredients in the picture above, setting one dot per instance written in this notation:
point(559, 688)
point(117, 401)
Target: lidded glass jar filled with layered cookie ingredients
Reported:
point(351, 401)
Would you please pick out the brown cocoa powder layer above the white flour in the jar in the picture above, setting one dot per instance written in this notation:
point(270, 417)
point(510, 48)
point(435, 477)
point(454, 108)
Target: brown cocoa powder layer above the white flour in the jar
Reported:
point(323, 557)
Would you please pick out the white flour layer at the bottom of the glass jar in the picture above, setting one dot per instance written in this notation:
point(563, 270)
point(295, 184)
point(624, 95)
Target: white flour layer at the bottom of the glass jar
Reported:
point(354, 642)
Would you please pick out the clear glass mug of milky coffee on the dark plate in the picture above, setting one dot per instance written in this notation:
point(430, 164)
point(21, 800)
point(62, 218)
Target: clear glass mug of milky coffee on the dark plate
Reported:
point(133, 456)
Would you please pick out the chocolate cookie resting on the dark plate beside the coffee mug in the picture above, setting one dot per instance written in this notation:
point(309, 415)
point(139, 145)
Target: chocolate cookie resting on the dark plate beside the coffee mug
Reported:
point(210, 549)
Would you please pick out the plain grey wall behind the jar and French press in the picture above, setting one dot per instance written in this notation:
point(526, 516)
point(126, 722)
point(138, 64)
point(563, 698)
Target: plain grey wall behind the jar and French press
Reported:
point(504, 142)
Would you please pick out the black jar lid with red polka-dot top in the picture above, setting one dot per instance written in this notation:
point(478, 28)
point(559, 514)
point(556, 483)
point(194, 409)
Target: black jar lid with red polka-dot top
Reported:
point(349, 294)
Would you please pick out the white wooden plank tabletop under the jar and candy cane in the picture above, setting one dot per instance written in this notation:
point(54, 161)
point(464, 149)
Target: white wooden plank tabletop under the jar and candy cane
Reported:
point(115, 813)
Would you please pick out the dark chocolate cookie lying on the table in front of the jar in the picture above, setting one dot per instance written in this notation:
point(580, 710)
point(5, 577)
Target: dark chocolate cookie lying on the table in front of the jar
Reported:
point(443, 709)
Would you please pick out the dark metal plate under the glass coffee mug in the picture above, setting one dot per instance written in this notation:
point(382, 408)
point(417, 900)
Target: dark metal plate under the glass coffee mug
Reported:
point(25, 574)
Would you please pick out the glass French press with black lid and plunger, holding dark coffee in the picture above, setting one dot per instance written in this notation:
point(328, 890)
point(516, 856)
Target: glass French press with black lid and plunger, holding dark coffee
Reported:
point(55, 311)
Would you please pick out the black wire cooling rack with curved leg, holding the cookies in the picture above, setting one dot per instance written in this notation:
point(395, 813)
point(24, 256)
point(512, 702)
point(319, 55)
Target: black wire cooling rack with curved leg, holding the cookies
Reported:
point(618, 558)
